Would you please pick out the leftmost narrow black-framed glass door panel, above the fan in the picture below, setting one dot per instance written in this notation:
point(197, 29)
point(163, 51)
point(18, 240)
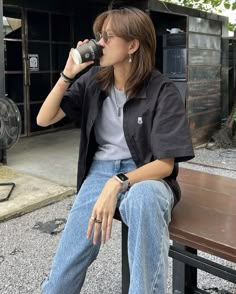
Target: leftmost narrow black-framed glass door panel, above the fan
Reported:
point(14, 44)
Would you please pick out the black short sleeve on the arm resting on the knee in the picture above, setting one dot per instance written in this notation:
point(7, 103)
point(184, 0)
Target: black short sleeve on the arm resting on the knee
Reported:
point(170, 136)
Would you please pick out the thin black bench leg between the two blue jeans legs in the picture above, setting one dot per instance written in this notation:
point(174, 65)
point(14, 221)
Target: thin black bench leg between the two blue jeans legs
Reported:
point(125, 262)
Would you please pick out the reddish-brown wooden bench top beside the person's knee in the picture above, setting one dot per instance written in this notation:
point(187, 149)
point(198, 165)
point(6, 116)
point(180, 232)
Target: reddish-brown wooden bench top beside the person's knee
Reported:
point(205, 218)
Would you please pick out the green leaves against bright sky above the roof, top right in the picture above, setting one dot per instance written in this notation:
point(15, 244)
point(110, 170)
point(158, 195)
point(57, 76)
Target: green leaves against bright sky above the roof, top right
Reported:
point(215, 6)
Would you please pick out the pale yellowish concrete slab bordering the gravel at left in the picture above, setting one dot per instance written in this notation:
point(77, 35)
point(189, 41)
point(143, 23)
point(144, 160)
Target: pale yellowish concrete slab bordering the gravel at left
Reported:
point(29, 193)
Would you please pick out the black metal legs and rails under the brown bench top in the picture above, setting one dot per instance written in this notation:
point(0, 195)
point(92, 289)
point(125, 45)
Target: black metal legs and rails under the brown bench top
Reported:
point(184, 271)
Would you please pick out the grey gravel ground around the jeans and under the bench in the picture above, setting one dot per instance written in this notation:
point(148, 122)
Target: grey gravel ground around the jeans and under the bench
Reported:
point(26, 252)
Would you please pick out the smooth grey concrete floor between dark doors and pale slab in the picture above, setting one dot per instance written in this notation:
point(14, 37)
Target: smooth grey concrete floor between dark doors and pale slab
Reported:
point(51, 156)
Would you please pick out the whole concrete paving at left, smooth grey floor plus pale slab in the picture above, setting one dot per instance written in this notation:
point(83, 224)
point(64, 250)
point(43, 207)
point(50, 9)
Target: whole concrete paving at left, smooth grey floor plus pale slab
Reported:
point(35, 166)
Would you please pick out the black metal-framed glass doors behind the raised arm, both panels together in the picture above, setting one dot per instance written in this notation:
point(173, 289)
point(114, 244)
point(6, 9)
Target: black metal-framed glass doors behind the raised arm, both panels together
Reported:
point(36, 45)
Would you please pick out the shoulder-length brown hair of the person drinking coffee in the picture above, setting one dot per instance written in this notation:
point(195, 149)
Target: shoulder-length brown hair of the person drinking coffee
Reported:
point(129, 24)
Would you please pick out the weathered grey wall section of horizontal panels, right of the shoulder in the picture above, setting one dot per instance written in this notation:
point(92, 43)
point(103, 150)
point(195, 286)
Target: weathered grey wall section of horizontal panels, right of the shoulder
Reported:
point(204, 77)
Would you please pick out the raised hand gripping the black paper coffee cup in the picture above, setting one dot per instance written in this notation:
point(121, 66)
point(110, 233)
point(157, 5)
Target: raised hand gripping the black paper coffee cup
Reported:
point(71, 68)
